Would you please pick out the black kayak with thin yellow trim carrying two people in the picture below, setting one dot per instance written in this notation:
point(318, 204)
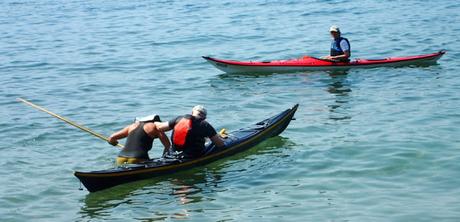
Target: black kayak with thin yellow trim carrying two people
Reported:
point(237, 141)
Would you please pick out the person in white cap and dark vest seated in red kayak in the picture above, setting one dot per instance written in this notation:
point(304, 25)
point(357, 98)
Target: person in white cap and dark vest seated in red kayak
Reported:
point(340, 47)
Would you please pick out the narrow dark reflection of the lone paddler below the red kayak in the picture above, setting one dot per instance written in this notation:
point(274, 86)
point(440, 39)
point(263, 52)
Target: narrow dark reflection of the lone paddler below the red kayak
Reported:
point(340, 88)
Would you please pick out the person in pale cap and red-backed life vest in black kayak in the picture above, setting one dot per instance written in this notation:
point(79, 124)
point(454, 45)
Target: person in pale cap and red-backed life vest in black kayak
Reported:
point(190, 131)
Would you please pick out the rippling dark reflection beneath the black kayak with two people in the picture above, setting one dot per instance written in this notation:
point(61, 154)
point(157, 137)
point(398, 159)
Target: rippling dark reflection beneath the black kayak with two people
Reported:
point(159, 196)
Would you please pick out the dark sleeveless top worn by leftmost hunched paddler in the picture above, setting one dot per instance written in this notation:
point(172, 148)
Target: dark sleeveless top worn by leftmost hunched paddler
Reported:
point(137, 144)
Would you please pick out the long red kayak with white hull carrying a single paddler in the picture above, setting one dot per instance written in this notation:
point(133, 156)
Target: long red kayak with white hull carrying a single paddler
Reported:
point(314, 64)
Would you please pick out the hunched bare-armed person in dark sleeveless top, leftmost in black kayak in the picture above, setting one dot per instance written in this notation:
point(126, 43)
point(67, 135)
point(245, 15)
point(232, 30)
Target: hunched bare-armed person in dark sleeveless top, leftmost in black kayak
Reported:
point(140, 136)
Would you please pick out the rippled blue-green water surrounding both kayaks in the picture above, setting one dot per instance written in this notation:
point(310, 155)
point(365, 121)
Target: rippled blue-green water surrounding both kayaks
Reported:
point(372, 145)
